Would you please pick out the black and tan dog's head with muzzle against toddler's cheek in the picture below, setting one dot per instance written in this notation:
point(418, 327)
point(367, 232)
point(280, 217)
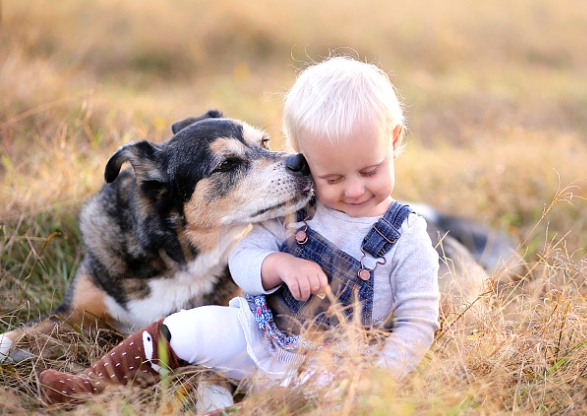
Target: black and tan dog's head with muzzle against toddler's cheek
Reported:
point(213, 173)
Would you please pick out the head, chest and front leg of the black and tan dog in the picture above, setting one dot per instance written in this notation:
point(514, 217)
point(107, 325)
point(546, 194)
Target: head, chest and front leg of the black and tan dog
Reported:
point(158, 235)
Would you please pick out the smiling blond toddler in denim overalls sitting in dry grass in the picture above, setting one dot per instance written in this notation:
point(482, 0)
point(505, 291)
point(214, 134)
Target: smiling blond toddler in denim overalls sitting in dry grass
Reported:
point(353, 246)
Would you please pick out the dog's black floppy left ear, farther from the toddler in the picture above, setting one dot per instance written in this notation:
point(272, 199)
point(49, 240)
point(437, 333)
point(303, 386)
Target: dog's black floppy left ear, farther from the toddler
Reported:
point(143, 157)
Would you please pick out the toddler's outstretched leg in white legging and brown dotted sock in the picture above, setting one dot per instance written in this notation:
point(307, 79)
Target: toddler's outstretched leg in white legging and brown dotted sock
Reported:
point(210, 336)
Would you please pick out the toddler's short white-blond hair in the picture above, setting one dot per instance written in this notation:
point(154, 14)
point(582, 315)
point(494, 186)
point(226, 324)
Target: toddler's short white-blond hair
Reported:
point(328, 99)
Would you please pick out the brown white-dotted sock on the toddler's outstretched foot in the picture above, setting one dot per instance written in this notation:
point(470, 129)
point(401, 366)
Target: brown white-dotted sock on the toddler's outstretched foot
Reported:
point(138, 360)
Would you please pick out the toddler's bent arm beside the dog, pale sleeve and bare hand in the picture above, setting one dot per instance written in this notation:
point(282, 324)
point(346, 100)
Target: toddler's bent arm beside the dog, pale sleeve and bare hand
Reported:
point(258, 267)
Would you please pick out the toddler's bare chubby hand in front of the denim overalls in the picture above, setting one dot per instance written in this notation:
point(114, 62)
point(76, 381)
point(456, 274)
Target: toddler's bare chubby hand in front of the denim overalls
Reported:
point(302, 277)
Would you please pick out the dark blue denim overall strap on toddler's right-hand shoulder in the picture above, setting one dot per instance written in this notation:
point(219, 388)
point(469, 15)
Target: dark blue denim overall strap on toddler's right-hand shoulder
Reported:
point(385, 232)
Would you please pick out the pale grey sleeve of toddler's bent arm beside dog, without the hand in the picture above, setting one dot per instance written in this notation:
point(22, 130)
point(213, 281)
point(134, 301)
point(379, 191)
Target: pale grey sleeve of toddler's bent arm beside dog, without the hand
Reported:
point(246, 259)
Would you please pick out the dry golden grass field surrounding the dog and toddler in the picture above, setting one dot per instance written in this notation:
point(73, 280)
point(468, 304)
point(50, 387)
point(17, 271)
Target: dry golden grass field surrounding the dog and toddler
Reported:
point(495, 99)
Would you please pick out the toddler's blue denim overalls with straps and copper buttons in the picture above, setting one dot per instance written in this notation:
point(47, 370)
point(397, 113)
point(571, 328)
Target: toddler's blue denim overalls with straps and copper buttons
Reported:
point(282, 317)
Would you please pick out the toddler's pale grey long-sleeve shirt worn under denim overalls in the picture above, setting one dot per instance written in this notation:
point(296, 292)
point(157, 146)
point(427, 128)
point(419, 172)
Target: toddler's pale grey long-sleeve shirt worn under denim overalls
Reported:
point(407, 284)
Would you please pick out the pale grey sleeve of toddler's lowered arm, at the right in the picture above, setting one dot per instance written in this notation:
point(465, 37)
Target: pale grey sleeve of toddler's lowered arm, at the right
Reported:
point(414, 280)
